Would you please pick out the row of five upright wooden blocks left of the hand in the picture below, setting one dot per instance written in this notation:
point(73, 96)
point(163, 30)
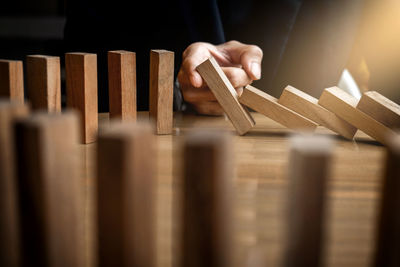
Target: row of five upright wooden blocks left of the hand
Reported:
point(44, 86)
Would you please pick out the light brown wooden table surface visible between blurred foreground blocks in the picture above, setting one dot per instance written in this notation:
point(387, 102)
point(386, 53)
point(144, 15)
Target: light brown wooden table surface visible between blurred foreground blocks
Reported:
point(261, 159)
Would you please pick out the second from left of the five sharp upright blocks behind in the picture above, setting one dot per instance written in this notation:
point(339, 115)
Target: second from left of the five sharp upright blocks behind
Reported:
point(44, 83)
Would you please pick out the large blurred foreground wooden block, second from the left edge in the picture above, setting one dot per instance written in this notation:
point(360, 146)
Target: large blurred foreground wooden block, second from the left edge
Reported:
point(50, 189)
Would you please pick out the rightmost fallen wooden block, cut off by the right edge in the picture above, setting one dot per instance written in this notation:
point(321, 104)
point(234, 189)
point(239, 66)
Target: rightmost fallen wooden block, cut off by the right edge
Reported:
point(380, 108)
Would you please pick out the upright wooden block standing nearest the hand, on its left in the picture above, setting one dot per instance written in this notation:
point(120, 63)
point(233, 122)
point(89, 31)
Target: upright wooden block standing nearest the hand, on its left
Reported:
point(162, 89)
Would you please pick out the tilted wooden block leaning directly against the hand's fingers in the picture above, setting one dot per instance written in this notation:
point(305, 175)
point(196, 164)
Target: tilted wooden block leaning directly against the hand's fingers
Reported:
point(226, 95)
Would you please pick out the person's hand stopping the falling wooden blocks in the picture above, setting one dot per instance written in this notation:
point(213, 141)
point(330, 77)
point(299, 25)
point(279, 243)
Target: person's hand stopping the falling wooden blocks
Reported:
point(240, 62)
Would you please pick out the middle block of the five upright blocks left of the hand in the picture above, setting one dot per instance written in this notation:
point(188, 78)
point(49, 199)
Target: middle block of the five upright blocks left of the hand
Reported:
point(81, 80)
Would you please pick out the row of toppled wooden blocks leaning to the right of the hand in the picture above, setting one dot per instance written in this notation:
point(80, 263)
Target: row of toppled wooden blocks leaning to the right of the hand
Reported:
point(374, 114)
